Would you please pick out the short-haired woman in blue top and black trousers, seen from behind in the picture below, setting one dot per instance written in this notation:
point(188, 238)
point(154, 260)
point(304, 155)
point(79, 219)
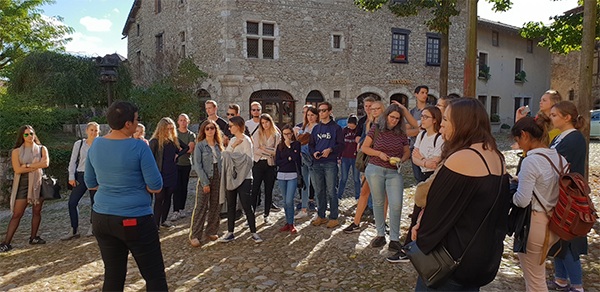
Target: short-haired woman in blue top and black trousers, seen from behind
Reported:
point(123, 171)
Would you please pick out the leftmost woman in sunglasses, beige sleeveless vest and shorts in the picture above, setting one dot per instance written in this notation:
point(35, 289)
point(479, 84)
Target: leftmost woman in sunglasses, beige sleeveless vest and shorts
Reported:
point(28, 159)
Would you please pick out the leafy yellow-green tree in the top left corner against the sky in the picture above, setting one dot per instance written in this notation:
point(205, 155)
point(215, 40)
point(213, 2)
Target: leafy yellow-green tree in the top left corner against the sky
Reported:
point(25, 29)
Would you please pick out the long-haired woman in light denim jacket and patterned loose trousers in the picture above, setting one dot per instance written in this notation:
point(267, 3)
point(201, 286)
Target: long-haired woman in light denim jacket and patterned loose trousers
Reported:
point(207, 164)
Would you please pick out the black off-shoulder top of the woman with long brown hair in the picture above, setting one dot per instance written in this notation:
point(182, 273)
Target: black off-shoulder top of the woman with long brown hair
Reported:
point(456, 207)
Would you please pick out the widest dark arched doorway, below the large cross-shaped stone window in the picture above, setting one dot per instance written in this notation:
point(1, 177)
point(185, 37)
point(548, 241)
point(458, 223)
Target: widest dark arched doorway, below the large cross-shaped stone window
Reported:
point(279, 104)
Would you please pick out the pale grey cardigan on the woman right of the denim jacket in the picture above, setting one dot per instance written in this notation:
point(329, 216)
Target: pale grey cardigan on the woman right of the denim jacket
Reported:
point(235, 169)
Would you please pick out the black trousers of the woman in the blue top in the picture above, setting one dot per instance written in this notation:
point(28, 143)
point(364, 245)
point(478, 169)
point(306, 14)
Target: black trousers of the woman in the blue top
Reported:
point(115, 242)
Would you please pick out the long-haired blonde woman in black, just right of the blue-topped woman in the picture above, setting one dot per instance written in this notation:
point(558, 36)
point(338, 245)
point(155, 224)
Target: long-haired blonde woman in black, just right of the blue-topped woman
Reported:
point(166, 148)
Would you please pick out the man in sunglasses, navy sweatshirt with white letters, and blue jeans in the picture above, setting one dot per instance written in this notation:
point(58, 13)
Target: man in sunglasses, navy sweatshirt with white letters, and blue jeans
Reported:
point(325, 145)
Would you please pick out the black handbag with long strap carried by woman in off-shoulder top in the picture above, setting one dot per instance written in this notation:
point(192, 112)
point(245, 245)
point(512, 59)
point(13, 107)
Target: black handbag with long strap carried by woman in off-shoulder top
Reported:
point(436, 266)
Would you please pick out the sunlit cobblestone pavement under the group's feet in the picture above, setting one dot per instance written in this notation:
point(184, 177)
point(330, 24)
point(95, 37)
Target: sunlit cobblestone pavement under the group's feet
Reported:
point(315, 259)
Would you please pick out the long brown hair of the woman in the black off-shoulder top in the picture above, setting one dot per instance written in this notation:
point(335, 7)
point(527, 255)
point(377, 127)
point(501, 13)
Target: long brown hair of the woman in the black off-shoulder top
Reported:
point(471, 125)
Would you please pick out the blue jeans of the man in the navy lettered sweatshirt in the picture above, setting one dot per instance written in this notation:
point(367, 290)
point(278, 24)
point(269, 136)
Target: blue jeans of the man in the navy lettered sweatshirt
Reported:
point(324, 179)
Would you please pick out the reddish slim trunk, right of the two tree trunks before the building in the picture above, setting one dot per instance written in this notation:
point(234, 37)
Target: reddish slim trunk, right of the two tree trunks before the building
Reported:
point(470, 71)
